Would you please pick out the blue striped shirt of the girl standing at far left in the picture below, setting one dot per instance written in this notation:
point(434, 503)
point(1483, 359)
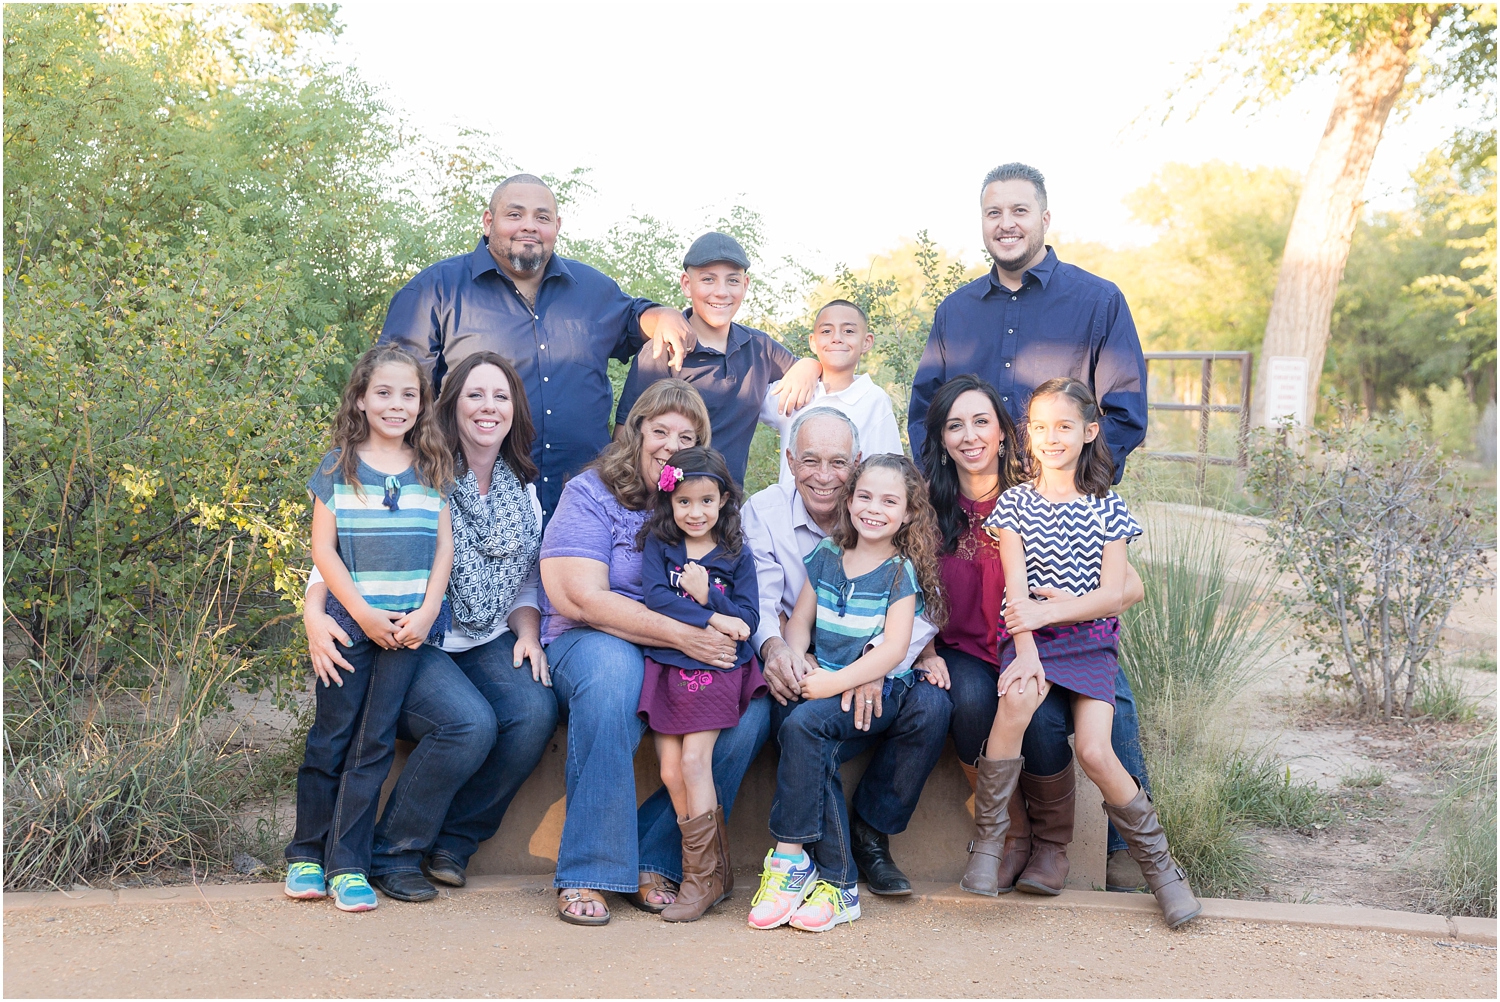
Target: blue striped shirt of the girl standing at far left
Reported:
point(388, 551)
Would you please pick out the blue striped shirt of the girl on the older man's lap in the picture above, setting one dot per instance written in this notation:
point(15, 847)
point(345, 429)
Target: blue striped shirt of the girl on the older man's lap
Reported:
point(851, 611)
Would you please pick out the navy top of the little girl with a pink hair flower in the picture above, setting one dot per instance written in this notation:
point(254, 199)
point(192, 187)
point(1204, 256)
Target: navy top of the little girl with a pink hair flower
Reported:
point(731, 590)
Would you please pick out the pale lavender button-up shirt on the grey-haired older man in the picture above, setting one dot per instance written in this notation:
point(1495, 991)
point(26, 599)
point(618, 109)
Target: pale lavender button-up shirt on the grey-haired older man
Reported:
point(781, 533)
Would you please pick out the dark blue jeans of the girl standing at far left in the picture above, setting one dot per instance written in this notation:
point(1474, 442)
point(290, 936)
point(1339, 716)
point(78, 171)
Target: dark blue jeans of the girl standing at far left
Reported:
point(350, 749)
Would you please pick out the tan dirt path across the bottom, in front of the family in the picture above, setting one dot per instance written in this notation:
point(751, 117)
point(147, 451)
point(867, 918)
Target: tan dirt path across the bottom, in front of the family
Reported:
point(511, 944)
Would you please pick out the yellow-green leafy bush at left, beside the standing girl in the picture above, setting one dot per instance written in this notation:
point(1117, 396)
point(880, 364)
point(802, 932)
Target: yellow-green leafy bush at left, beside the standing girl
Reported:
point(161, 424)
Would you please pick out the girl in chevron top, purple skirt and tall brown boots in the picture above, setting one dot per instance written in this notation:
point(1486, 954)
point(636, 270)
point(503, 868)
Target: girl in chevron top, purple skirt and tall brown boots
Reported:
point(1067, 530)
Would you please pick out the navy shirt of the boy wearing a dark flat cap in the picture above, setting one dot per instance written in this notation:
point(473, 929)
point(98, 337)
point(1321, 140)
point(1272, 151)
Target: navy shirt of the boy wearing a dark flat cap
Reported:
point(733, 383)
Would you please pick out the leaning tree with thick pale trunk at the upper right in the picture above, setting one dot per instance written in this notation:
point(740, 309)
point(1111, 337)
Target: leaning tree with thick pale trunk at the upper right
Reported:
point(1387, 56)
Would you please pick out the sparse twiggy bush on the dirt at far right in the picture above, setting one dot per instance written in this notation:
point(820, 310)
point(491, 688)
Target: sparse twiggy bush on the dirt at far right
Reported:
point(1384, 538)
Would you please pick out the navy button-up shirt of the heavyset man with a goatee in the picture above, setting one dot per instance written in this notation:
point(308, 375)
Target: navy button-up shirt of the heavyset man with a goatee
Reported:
point(583, 319)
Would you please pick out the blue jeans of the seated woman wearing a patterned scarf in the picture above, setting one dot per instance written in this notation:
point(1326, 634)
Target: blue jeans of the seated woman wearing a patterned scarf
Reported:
point(481, 730)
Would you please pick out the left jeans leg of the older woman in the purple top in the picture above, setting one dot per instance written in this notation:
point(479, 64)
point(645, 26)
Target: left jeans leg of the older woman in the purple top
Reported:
point(598, 680)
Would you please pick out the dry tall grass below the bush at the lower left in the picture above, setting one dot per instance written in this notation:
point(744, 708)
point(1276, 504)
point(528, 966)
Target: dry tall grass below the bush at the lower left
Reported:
point(107, 778)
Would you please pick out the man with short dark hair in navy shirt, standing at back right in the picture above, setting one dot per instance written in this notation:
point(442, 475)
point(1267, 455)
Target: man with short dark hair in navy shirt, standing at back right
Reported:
point(1028, 320)
